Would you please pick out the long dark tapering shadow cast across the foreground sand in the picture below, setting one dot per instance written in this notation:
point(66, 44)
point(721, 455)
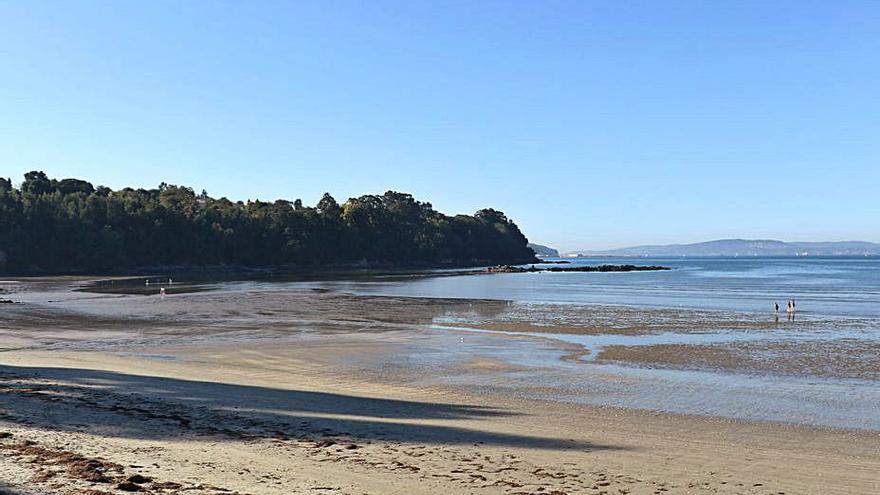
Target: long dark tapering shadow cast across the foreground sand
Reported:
point(143, 407)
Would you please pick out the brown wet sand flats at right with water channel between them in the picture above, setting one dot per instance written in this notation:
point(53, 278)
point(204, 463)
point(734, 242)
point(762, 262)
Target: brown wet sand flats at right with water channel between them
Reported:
point(809, 345)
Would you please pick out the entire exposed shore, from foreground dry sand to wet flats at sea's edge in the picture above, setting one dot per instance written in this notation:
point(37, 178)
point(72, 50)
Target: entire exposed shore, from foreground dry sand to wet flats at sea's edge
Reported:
point(253, 389)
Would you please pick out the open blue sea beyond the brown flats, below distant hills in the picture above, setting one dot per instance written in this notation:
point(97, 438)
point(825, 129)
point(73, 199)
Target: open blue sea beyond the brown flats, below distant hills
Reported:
point(826, 286)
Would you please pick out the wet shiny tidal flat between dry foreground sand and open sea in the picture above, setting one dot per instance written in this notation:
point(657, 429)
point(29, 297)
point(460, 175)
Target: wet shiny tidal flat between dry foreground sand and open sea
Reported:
point(625, 356)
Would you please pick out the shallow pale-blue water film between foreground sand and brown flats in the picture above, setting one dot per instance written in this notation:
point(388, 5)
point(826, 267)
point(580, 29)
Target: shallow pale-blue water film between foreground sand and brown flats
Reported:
point(538, 370)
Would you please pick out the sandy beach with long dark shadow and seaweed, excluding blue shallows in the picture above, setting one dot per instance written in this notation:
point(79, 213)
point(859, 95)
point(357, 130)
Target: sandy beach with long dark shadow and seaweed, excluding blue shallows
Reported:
point(278, 392)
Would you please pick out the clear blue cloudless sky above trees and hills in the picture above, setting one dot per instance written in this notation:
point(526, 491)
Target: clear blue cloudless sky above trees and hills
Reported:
point(592, 124)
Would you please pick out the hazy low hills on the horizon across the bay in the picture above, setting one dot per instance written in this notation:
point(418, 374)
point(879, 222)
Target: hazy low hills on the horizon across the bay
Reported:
point(745, 247)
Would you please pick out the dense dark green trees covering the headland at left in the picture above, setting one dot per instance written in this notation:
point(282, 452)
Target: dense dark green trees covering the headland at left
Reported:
point(54, 225)
